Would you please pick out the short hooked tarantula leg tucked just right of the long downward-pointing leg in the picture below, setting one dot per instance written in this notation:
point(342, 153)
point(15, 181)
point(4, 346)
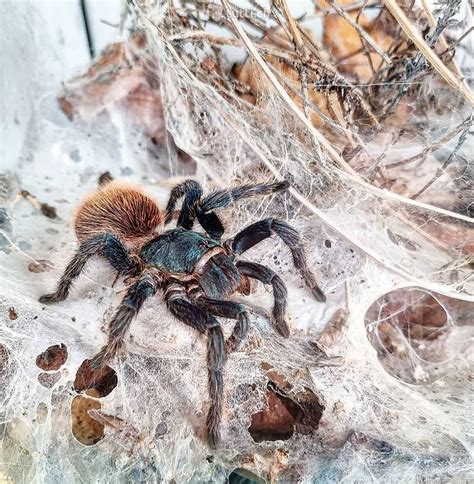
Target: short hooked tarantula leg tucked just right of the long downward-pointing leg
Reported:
point(224, 309)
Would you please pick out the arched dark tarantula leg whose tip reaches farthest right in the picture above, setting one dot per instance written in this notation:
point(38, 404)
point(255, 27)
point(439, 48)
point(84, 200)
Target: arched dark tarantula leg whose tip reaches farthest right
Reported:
point(259, 231)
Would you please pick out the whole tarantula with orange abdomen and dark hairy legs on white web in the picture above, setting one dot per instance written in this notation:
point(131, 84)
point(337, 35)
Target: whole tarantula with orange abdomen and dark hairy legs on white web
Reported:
point(196, 272)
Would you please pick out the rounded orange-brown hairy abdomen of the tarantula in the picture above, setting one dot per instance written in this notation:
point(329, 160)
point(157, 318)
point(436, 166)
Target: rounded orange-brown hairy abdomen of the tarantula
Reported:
point(119, 209)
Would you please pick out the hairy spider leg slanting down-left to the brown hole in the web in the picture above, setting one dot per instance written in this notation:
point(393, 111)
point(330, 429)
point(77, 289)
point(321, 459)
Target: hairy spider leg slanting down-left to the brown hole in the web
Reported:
point(132, 302)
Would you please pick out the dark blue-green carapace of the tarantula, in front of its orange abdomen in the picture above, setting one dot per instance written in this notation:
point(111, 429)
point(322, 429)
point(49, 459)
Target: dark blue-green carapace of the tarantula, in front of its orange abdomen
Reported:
point(177, 251)
